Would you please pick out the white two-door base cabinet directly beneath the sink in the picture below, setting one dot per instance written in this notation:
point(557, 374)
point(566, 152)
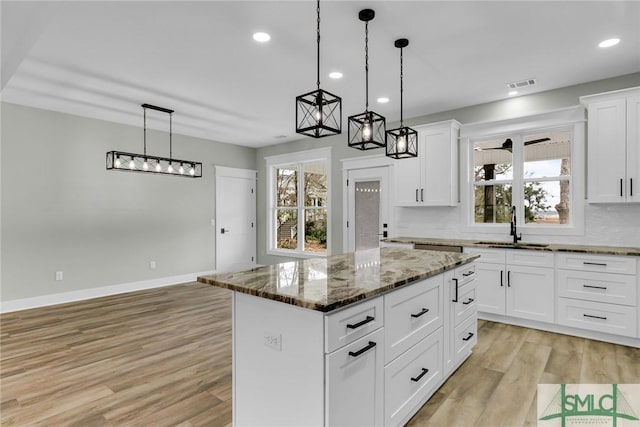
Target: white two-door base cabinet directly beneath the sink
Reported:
point(517, 283)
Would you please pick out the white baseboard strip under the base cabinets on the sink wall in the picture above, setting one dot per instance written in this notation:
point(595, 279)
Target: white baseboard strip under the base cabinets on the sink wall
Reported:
point(561, 329)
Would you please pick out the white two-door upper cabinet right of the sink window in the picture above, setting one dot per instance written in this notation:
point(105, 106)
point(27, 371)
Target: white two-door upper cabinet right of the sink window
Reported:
point(613, 146)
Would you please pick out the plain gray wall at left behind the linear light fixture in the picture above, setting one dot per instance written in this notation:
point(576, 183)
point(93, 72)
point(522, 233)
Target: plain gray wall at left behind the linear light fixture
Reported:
point(62, 211)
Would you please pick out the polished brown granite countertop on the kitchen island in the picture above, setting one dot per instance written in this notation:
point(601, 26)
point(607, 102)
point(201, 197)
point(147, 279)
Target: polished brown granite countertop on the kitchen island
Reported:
point(325, 284)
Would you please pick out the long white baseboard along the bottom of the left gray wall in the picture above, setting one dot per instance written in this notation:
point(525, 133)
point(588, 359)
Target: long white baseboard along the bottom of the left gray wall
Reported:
point(85, 294)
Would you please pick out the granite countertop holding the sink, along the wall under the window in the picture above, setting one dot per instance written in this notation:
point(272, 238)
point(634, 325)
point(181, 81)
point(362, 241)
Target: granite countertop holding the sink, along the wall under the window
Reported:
point(478, 243)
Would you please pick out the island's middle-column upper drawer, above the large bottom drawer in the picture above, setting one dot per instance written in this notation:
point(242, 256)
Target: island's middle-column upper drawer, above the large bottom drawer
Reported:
point(411, 314)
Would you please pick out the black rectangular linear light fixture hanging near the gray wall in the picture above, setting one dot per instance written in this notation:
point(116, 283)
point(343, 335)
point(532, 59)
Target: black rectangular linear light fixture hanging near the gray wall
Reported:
point(131, 162)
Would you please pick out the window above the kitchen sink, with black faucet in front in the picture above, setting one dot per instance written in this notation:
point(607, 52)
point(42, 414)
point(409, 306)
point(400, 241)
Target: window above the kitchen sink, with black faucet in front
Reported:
point(530, 171)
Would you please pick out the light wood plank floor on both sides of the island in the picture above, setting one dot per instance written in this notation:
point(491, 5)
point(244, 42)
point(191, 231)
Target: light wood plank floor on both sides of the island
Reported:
point(163, 357)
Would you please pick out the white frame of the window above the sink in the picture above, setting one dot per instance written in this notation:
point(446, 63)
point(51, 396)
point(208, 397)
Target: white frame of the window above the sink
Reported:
point(569, 119)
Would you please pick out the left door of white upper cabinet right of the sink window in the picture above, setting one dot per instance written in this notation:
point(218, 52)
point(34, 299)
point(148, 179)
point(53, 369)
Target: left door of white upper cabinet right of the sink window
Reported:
point(606, 146)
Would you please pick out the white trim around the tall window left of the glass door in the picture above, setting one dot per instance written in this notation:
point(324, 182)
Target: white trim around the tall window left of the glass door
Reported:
point(307, 156)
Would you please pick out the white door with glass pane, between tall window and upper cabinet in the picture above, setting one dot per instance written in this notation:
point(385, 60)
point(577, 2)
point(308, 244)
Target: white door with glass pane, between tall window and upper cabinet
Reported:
point(368, 207)
